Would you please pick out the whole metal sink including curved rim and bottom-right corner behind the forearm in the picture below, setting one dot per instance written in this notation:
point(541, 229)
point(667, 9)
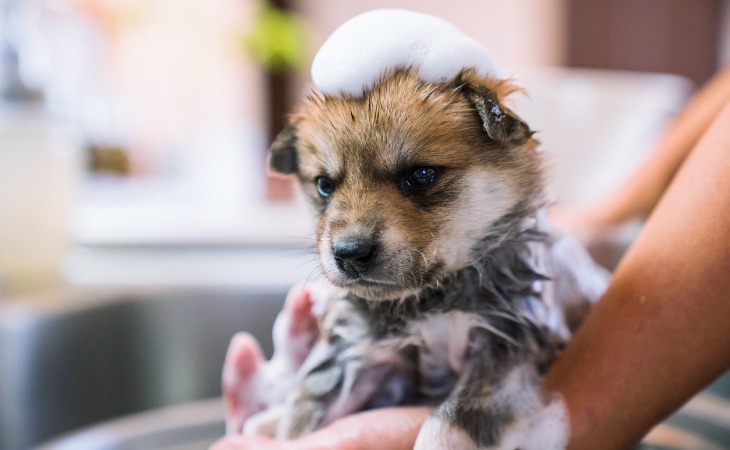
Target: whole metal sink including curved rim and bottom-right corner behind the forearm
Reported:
point(141, 371)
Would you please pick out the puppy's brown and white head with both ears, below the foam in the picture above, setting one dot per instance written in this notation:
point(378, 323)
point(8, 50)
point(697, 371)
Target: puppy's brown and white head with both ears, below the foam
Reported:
point(408, 179)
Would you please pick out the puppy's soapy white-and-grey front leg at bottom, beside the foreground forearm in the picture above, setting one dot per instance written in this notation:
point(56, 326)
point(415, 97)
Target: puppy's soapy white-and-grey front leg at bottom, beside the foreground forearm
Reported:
point(495, 410)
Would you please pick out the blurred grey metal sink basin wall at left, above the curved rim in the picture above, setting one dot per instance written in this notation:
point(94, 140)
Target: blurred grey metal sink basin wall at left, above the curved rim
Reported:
point(66, 366)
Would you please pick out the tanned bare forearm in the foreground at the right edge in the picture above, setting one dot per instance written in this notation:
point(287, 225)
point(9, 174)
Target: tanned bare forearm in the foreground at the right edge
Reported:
point(660, 332)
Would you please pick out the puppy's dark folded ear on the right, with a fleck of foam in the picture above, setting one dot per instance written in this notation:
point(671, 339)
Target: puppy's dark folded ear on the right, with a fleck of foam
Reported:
point(500, 123)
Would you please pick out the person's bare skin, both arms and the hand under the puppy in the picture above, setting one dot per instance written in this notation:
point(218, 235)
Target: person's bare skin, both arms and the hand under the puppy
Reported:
point(658, 335)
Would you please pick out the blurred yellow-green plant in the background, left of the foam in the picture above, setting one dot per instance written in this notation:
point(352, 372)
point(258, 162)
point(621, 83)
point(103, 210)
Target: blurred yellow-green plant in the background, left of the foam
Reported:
point(278, 39)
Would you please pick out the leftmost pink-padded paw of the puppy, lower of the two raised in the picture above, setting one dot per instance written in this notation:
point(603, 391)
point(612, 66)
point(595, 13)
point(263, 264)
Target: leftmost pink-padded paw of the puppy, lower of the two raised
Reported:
point(241, 370)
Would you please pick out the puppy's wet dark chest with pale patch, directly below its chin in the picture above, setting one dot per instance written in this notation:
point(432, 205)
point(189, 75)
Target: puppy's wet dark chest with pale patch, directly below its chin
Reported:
point(449, 328)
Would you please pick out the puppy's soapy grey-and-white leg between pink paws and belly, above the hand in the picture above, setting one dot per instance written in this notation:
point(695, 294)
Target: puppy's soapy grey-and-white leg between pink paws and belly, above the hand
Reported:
point(349, 370)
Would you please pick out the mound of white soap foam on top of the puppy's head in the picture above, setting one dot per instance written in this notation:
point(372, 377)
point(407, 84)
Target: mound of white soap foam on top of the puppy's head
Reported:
point(362, 49)
